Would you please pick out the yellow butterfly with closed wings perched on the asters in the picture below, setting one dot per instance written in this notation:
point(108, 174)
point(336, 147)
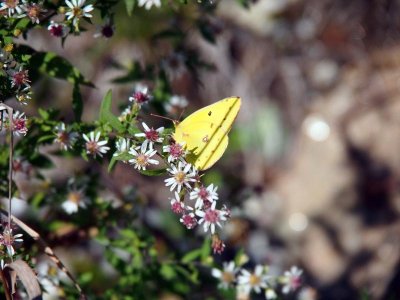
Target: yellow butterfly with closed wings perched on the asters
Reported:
point(205, 132)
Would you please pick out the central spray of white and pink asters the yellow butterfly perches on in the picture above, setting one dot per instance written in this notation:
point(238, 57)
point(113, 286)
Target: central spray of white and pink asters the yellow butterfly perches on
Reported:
point(195, 203)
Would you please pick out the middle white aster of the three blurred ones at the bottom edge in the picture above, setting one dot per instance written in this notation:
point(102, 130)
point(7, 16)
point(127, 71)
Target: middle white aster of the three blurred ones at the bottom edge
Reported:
point(253, 281)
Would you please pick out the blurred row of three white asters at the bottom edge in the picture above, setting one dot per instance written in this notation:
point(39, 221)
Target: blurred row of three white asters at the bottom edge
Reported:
point(258, 280)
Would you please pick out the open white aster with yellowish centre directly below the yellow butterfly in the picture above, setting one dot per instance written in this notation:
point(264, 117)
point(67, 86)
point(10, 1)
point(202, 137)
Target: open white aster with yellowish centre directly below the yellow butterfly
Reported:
point(182, 175)
